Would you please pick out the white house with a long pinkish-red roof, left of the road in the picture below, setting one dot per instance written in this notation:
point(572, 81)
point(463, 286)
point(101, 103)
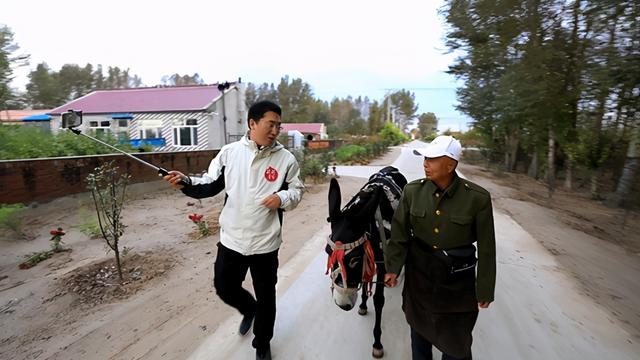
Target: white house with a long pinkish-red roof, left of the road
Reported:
point(168, 118)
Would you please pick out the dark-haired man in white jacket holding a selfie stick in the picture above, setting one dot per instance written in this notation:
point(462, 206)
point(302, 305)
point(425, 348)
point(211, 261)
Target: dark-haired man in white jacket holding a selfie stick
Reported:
point(261, 180)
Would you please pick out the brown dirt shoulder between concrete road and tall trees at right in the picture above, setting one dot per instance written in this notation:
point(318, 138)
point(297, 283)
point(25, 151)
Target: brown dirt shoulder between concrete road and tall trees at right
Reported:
point(597, 245)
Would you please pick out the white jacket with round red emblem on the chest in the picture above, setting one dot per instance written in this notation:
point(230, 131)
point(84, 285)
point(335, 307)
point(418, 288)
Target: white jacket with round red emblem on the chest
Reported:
point(249, 175)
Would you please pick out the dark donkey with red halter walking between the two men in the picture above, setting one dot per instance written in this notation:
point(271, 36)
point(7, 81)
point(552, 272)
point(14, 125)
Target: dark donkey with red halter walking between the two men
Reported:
point(356, 245)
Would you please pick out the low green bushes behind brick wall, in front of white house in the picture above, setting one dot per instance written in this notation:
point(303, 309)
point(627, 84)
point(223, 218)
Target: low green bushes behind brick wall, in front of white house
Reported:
point(26, 142)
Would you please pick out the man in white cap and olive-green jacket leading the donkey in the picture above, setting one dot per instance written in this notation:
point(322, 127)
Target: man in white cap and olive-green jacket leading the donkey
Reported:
point(433, 232)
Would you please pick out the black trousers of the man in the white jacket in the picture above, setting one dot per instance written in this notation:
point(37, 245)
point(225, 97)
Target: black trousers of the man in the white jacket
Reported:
point(229, 272)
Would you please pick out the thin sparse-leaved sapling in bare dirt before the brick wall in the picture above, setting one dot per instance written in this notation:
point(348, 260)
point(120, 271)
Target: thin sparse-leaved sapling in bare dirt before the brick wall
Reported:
point(108, 189)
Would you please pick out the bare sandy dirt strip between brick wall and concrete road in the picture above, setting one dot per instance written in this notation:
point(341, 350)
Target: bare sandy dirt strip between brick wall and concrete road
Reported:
point(167, 308)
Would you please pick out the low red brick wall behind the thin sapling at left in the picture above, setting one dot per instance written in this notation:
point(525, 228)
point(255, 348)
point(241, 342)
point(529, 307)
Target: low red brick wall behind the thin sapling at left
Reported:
point(40, 180)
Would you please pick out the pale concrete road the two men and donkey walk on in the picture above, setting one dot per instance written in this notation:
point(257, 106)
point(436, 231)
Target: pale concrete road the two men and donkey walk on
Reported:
point(539, 312)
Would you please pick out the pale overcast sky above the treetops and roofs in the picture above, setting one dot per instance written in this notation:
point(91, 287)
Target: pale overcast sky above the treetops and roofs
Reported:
point(339, 47)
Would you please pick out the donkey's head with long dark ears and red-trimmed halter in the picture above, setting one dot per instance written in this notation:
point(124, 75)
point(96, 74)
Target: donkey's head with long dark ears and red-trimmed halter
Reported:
point(346, 246)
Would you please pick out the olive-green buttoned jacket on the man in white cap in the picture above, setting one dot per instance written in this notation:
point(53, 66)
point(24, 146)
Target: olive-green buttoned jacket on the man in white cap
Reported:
point(460, 215)
